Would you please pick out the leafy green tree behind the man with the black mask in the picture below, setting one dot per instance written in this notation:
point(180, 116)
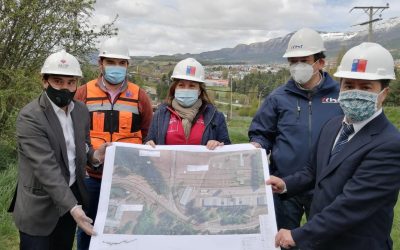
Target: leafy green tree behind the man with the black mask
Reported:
point(30, 31)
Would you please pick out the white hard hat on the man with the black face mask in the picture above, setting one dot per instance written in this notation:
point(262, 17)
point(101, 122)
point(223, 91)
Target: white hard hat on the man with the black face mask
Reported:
point(61, 63)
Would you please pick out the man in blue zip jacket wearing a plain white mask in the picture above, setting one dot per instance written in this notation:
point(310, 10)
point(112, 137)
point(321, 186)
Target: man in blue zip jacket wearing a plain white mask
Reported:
point(289, 121)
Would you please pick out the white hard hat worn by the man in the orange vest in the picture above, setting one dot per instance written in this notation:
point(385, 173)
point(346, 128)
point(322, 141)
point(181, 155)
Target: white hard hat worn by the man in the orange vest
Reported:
point(114, 48)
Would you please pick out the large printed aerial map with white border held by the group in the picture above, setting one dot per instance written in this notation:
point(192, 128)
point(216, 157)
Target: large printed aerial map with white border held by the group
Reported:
point(172, 196)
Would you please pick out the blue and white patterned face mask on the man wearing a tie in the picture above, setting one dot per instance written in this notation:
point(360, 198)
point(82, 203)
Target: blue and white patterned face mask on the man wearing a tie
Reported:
point(358, 105)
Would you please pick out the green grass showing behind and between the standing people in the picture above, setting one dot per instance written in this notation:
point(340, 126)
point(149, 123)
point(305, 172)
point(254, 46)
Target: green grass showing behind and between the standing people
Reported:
point(238, 133)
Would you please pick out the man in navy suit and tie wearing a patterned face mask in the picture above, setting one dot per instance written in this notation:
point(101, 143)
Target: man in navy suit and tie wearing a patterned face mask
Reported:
point(355, 167)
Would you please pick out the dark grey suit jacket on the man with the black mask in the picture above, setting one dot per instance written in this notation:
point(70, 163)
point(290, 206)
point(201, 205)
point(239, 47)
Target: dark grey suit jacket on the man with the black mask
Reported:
point(43, 194)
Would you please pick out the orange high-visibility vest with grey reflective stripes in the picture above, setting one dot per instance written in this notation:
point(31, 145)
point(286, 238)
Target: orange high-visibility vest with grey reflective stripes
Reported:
point(113, 122)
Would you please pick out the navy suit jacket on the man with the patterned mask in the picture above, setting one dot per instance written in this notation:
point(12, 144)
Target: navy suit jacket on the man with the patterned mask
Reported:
point(355, 193)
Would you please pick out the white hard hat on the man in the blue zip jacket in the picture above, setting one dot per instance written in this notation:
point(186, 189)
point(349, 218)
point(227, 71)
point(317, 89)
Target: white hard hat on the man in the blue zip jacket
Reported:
point(304, 42)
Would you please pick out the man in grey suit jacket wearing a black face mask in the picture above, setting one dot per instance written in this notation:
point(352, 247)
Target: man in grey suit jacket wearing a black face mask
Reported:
point(53, 149)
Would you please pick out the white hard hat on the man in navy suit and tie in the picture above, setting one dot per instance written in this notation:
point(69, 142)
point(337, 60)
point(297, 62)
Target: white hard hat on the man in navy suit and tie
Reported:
point(368, 61)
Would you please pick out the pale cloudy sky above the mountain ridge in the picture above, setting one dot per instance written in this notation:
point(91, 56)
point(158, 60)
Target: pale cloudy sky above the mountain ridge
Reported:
point(154, 27)
